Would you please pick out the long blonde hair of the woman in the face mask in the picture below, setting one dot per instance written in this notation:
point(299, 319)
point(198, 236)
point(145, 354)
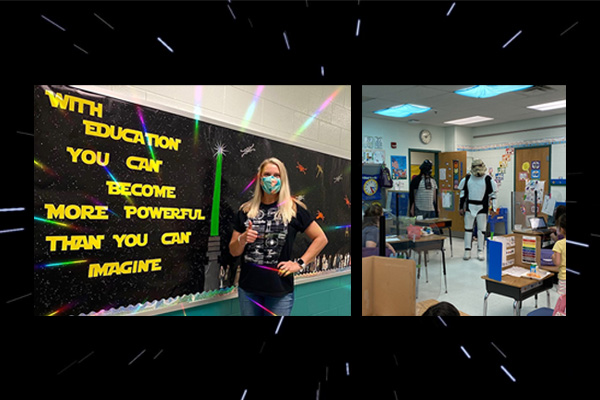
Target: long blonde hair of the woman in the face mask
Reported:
point(286, 204)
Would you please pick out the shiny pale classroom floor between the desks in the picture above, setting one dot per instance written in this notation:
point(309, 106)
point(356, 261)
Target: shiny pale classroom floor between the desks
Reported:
point(466, 289)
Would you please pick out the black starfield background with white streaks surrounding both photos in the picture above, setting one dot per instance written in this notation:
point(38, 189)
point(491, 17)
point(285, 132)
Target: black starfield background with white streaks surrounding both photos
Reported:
point(244, 43)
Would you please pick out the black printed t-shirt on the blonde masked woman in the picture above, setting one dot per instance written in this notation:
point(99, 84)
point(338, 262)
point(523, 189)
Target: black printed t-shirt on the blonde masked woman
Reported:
point(274, 244)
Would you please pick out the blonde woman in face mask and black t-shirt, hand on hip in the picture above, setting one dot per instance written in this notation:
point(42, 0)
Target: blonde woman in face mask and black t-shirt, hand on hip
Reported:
point(264, 231)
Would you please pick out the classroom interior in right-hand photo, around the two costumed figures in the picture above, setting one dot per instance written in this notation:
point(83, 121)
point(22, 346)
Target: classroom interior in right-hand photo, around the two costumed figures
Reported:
point(520, 136)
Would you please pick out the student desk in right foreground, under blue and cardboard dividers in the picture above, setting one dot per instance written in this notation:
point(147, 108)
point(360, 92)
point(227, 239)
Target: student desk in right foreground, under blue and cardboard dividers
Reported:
point(517, 288)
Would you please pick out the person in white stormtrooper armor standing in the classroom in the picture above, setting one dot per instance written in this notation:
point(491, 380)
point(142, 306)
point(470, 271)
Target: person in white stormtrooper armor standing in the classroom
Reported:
point(476, 191)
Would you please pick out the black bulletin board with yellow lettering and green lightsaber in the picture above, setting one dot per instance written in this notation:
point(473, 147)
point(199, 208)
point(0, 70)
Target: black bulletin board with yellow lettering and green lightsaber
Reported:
point(133, 204)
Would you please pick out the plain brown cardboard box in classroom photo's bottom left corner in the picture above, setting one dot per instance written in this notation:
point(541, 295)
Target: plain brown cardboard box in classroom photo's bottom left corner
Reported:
point(388, 287)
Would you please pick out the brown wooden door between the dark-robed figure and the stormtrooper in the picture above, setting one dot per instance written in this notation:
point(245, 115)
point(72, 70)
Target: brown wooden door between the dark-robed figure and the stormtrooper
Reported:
point(452, 168)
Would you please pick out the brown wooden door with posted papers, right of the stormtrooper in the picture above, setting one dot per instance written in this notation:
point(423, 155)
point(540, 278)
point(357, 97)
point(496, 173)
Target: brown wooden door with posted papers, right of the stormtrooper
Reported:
point(532, 164)
